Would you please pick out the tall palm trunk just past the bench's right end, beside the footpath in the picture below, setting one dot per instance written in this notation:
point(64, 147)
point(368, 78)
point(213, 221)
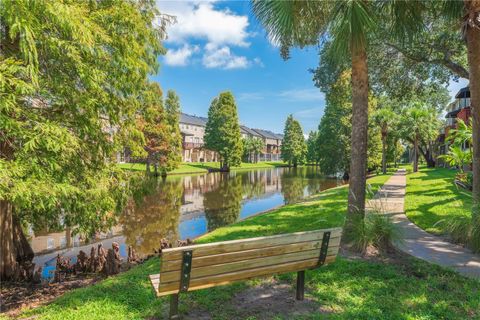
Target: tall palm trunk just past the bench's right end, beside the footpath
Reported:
point(358, 162)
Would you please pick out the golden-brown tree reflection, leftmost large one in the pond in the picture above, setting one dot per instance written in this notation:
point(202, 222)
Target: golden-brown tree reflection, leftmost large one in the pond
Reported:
point(153, 216)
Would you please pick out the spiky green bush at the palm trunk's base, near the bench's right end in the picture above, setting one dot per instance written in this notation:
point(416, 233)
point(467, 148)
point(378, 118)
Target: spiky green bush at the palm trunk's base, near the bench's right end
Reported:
point(377, 230)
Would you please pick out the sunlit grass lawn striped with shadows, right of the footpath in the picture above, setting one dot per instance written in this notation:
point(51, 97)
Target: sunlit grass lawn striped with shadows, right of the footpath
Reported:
point(432, 197)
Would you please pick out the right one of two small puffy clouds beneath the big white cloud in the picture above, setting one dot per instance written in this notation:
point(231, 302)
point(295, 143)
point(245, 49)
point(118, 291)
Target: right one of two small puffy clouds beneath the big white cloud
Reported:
point(223, 58)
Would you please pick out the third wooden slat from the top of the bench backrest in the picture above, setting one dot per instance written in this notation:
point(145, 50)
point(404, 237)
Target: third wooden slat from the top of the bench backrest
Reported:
point(228, 267)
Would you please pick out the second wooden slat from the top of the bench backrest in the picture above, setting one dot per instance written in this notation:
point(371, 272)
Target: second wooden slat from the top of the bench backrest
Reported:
point(197, 262)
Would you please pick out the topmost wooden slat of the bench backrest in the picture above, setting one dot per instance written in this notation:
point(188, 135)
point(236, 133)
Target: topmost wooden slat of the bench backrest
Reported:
point(247, 244)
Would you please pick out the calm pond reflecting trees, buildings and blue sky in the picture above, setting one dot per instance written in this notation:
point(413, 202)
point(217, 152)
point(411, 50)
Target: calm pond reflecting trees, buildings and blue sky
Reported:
point(188, 206)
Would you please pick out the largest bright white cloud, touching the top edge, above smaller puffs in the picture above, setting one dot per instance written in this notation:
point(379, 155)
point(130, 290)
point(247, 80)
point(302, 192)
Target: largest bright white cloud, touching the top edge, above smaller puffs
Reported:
point(200, 20)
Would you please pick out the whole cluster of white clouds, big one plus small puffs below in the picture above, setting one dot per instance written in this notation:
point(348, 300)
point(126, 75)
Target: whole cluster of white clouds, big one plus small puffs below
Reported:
point(202, 23)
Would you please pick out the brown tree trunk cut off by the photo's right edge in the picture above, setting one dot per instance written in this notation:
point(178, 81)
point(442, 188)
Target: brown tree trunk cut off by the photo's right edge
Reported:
point(473, 55)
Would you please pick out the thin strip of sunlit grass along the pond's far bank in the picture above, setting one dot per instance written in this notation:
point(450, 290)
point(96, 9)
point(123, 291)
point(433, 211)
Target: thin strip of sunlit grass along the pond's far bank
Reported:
point(202, 167)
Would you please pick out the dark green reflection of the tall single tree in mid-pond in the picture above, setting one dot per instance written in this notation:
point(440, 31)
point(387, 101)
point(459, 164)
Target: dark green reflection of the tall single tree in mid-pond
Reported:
point(222, 204)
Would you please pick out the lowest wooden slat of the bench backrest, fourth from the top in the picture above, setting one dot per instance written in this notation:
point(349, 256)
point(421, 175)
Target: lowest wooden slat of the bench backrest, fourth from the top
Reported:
point(222, 279)
